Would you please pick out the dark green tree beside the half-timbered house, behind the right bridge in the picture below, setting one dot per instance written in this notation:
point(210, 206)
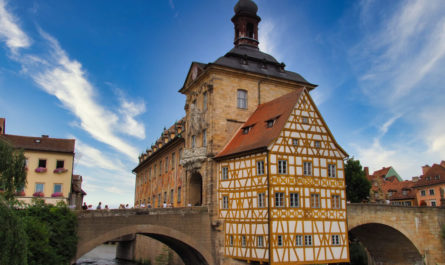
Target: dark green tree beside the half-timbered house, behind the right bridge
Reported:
point(357, 186)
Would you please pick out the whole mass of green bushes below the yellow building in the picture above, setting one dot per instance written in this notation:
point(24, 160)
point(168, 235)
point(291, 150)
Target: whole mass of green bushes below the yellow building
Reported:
point(41, 234)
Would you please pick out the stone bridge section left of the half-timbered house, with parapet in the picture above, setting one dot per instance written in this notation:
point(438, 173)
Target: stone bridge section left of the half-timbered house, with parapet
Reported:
point(185, 230)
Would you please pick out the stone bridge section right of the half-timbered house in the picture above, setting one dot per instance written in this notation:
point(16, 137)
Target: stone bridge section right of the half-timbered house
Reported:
point(398, 234)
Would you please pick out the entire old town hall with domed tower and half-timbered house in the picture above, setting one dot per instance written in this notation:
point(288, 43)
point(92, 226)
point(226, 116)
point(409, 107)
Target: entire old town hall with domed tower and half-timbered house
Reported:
point(254, 149)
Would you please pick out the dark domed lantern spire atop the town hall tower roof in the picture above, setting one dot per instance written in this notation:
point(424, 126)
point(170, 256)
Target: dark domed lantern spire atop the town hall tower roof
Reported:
point(246, 23)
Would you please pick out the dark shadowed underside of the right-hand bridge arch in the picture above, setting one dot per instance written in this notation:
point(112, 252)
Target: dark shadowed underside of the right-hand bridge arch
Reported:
point(386, 245)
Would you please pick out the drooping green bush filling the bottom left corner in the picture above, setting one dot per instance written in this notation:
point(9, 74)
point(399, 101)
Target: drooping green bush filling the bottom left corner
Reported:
point(13, 246)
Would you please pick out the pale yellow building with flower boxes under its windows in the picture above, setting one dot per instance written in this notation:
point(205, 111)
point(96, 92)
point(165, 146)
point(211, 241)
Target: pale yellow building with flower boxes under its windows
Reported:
point(49, 165)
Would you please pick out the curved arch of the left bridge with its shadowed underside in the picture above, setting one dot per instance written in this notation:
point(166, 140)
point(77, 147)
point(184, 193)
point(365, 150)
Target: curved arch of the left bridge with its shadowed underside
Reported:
point(190, 251)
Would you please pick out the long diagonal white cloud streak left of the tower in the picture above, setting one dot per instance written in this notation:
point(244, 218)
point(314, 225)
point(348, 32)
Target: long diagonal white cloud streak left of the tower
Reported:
point(66, 80)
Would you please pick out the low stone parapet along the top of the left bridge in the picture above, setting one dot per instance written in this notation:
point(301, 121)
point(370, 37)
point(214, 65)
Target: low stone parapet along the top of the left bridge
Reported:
point(139, 211)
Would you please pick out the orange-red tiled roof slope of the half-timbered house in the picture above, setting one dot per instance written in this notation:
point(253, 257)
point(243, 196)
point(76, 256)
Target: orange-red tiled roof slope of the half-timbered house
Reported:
point(259, 136)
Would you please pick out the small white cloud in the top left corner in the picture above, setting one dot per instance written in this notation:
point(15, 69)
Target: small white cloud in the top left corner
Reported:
point(14, 37)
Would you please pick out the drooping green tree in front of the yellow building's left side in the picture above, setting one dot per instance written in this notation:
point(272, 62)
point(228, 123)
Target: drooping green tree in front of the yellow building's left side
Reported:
point(12, 170)
